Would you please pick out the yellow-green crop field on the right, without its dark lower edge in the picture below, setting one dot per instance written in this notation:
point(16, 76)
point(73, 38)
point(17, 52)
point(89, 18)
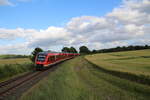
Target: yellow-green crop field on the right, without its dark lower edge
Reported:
point(136, 62)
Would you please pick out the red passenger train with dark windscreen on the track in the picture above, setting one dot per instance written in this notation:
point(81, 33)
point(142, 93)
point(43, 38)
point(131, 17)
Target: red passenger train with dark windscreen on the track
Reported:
point(46, 58)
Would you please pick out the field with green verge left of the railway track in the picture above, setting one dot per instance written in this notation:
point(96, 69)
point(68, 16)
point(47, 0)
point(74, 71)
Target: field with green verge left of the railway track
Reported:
point(12, 65)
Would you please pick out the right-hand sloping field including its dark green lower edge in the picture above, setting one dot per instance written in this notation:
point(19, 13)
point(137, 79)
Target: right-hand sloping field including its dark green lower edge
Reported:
point(132, 65)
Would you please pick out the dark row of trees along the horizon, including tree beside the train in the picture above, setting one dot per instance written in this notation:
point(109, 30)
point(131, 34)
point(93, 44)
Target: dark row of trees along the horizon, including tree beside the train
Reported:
point(83, 50)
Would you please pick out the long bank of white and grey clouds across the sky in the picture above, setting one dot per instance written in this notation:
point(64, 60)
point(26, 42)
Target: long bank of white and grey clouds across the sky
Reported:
point(129, 22)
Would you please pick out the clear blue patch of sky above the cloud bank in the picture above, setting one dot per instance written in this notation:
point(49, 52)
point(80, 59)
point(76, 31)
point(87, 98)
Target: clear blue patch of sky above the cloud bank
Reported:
point(40, 14)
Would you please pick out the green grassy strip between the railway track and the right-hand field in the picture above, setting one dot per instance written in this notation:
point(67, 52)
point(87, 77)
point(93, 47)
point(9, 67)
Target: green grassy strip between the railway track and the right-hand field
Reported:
point(77, 79)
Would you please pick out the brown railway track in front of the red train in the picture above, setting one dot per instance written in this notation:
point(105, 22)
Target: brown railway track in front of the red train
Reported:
point(11, 86)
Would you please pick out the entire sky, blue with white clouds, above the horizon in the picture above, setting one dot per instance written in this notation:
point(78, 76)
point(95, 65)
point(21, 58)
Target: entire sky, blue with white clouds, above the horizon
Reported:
point(53, 24)
